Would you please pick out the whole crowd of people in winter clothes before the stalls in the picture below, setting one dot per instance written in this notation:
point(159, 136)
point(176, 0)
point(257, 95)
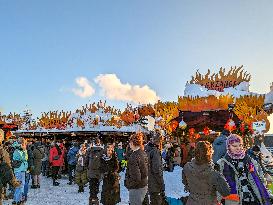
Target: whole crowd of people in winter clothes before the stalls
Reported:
point(219, 173)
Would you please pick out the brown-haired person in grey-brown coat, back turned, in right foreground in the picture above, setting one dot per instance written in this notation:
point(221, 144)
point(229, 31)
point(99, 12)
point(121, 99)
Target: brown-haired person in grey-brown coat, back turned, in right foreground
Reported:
point(200, 178)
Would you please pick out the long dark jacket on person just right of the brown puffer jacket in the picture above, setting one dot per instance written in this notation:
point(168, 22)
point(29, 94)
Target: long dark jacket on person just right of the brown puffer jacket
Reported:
point(155, 173)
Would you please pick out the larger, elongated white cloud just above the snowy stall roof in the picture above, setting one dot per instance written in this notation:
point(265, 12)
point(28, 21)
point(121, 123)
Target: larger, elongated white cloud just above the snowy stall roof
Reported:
point(114, 89)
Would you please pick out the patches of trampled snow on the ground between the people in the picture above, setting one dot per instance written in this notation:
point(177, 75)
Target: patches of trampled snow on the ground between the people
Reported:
point(68, 195)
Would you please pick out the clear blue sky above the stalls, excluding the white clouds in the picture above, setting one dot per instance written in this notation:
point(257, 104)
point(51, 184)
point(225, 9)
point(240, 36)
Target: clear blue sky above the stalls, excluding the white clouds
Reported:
point(46, 45)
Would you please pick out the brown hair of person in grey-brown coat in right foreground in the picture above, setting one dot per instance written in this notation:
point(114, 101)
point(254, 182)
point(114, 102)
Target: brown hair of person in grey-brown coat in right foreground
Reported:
point(203, 152)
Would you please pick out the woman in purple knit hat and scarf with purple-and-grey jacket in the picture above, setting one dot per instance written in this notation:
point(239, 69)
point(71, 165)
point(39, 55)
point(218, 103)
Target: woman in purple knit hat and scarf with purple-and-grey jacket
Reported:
point(243, 175)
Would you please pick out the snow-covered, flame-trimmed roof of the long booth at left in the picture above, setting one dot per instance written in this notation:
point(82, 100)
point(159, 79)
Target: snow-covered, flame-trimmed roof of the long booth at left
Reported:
point(95, 120)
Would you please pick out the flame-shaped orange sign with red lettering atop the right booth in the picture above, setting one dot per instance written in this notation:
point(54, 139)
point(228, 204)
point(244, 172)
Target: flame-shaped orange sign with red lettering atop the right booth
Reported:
point(221, 80)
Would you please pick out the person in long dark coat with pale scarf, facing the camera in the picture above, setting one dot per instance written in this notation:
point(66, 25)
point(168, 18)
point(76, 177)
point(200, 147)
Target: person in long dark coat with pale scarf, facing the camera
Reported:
point(110, 194)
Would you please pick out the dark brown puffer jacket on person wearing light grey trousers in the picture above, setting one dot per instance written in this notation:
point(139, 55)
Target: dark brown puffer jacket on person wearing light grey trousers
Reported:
point(137, 171)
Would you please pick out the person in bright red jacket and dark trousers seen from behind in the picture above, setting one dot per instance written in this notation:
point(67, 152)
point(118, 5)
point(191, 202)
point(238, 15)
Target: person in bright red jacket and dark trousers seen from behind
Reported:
point(56, 160)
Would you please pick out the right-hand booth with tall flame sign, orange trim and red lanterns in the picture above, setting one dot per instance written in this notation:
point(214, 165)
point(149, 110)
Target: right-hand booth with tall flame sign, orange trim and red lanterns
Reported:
point(214, 102)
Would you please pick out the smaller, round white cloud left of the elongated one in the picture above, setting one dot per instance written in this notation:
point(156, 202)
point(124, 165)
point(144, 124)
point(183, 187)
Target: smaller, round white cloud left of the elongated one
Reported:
point(85, 89)
